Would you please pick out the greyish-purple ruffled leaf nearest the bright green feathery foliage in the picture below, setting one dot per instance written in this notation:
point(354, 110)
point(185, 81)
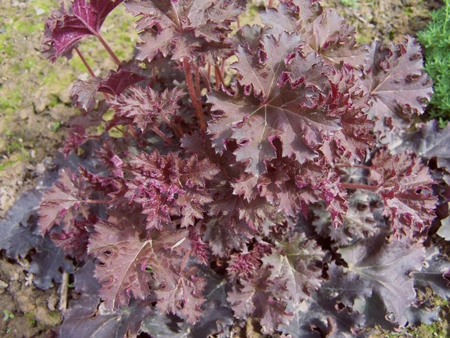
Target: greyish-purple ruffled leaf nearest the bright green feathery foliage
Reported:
point(398, 85)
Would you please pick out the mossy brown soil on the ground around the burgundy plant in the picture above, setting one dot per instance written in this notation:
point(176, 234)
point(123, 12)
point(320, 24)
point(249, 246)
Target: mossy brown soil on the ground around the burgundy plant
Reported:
point(35, 106)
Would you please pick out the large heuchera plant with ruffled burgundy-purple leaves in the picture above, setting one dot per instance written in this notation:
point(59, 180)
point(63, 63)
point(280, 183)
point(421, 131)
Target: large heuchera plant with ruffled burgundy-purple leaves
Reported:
point(259, 188)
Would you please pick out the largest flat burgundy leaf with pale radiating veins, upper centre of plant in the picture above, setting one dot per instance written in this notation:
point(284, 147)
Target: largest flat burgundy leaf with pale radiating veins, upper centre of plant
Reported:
point(285, 95)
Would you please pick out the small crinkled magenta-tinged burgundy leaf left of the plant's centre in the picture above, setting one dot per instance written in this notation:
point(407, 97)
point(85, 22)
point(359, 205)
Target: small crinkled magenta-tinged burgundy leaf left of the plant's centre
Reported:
point(168, 186)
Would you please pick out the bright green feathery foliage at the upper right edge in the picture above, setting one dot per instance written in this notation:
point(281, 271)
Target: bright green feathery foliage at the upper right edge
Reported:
point(436, 42)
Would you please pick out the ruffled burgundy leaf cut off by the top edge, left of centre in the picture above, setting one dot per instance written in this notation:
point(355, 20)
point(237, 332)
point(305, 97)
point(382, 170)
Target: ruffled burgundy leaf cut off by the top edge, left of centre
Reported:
point(182, 28)
